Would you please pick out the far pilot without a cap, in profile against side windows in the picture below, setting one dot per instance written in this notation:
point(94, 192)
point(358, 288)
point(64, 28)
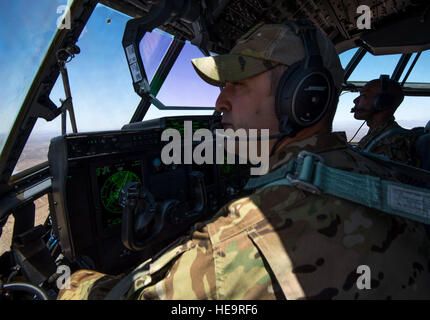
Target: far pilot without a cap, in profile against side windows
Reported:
point(376, 104)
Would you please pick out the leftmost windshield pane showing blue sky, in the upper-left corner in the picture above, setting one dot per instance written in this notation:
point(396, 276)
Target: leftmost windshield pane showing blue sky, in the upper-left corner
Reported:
point(26, 30)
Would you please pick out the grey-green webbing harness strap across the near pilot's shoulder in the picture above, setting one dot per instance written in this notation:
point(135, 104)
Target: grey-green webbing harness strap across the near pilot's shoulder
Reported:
point(308, 172)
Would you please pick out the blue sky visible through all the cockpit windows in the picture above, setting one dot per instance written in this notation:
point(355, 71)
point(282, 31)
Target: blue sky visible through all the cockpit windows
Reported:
point(100, 81)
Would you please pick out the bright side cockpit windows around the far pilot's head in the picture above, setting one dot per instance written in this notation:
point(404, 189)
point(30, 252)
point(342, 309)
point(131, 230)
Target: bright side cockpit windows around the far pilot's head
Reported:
point(412, 113)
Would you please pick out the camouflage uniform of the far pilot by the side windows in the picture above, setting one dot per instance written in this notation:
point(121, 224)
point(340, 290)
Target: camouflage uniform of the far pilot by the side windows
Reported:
point(397, 146)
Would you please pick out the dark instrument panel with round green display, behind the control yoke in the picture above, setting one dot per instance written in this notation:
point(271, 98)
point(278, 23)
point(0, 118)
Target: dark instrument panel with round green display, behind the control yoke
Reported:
point(89, 171)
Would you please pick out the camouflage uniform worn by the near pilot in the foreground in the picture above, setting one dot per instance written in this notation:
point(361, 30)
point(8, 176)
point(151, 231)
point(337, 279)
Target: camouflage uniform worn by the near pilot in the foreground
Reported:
point(282, 242)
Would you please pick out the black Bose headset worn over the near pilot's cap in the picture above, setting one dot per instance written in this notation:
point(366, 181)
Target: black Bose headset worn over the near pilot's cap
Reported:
point(306, 89)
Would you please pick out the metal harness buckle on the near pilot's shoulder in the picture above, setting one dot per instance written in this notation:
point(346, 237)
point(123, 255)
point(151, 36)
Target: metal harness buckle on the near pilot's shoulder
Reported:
point(303, 173)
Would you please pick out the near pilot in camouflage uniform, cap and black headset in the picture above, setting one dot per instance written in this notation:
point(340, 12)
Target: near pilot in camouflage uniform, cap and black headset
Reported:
point(282, 241)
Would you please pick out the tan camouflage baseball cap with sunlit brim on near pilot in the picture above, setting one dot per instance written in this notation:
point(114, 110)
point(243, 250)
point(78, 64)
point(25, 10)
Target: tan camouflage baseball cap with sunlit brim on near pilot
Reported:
point(261, 49)
